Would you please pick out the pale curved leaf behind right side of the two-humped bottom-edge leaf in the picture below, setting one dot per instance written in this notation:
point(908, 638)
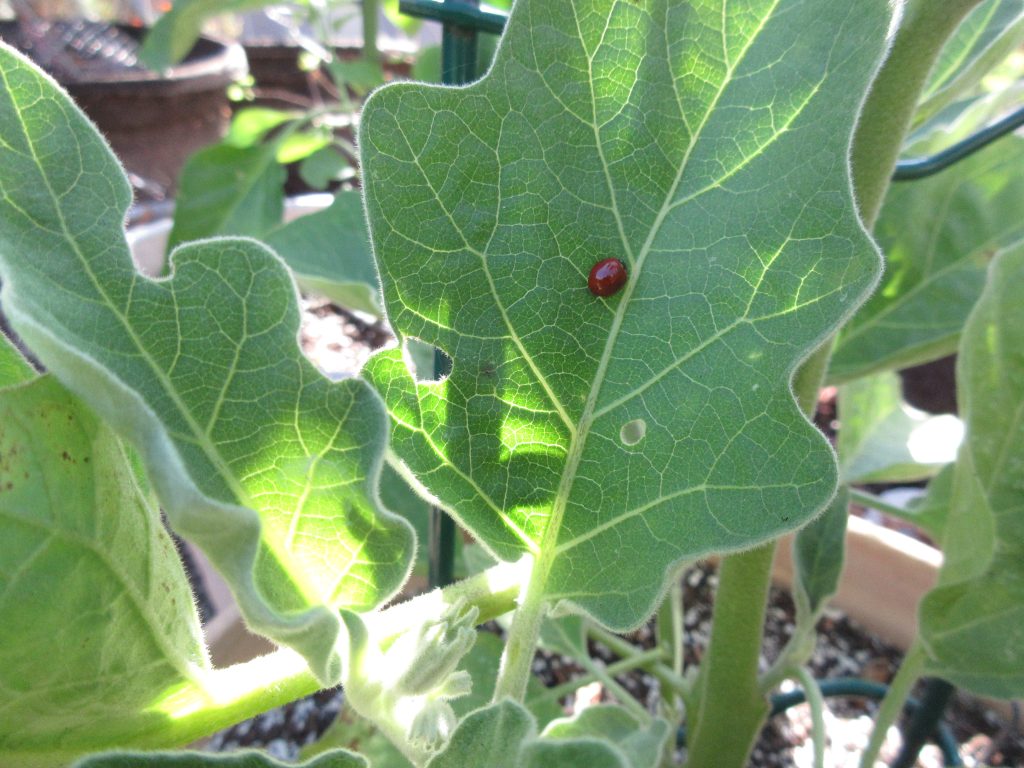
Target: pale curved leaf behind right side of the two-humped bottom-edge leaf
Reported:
point(643, 746)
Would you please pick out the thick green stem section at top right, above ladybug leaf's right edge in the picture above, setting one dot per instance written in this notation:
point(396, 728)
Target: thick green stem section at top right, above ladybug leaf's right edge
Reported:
point(890, 106)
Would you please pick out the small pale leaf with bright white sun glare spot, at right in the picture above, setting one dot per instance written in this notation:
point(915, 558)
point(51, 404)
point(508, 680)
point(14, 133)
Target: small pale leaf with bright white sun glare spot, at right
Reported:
point(884, 440)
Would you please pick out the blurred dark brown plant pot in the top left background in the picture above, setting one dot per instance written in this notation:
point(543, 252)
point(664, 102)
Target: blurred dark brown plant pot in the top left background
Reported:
point(153, 121)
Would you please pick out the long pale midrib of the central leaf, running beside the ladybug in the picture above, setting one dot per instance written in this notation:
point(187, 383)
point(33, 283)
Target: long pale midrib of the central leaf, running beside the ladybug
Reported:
point(579, 441)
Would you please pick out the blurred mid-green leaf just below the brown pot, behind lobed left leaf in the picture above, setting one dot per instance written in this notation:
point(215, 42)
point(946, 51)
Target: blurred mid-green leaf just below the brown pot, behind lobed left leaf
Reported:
point(229, 191)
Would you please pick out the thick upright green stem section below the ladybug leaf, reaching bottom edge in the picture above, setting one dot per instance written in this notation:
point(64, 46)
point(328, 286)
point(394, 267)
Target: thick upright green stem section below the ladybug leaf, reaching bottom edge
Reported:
point(732, 707)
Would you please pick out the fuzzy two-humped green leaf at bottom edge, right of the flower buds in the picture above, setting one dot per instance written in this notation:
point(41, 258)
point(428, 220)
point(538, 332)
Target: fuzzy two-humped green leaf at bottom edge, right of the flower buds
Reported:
point(504, 736)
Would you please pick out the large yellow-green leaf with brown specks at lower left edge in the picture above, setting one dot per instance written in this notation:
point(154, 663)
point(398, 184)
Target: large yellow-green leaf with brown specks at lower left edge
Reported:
point(98, 623)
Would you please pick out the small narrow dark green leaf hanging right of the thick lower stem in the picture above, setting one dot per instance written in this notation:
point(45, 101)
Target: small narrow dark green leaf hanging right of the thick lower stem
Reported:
point(818, 558)
